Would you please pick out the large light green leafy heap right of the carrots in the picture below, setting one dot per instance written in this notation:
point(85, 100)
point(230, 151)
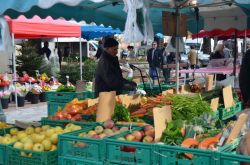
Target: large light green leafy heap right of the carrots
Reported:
point(188, 107)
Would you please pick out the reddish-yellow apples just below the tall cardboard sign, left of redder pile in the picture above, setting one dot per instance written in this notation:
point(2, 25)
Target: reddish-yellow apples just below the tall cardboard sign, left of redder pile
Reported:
point(108, 129)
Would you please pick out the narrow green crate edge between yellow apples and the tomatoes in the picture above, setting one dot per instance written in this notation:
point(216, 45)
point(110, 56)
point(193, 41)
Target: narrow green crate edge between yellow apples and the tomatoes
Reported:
point(63, 123)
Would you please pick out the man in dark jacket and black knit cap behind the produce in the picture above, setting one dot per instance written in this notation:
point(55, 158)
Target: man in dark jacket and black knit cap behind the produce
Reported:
point(108, 74)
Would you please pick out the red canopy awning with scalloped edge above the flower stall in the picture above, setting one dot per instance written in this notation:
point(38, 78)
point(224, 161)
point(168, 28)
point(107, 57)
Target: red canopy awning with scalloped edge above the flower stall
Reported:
point(42, 28)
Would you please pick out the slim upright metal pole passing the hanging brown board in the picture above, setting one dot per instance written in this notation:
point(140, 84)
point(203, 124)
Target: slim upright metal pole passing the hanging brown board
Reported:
point(177, 50)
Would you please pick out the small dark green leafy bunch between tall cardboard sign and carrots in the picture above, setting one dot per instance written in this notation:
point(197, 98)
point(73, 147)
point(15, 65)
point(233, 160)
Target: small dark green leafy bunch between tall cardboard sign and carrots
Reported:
point(121, 113)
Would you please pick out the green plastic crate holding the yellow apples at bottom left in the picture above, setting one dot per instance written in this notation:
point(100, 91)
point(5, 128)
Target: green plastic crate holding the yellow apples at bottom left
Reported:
point(24, 157)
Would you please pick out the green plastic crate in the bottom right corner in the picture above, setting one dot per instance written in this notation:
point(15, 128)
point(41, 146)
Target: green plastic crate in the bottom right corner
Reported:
point(233, 159)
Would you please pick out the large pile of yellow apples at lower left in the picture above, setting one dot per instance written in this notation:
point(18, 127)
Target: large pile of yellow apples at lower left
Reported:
point(37, 139)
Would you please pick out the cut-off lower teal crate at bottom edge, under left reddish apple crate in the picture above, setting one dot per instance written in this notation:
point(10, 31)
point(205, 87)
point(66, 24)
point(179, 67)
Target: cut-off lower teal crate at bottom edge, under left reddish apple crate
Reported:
point(74, 161)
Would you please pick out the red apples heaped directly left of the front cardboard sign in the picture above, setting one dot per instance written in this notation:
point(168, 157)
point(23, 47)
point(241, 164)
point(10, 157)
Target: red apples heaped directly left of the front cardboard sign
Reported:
point(146, 135)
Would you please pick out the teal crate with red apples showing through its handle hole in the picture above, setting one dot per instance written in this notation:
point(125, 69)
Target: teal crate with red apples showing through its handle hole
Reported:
point(126, 152)
